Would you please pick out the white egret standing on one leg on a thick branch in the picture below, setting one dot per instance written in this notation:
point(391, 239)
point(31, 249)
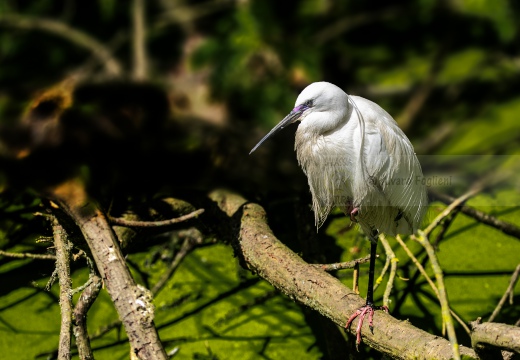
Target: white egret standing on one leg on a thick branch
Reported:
point(357, 158)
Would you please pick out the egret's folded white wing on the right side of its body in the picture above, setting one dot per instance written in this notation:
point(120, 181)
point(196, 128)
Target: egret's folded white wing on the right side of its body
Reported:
point(393, 174)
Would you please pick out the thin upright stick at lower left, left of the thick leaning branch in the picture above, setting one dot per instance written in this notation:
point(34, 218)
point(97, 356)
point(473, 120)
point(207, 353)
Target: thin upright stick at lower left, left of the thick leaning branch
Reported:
point(63, 266)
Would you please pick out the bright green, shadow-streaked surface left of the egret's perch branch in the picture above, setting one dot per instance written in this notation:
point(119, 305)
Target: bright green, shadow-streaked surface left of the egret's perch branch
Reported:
point(211, 308)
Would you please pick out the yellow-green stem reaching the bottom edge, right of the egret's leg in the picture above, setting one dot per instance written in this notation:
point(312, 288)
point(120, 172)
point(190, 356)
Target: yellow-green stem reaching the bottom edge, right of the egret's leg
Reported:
point(445, 309)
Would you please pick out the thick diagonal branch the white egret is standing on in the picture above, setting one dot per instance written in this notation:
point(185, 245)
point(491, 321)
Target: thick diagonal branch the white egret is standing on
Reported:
point(268, 257)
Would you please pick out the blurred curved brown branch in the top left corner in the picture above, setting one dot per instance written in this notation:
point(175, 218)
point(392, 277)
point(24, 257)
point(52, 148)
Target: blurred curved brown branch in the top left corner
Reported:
point(80, 38)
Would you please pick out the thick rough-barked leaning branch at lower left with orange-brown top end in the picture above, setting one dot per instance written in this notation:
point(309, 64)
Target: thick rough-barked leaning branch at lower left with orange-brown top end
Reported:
point(132, 302)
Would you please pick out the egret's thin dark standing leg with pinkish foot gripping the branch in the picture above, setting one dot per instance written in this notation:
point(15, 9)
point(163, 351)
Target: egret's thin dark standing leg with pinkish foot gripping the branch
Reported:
point(369, 308)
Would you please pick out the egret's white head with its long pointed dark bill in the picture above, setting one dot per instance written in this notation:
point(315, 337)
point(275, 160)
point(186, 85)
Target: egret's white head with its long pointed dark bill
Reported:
point(318, 97)
